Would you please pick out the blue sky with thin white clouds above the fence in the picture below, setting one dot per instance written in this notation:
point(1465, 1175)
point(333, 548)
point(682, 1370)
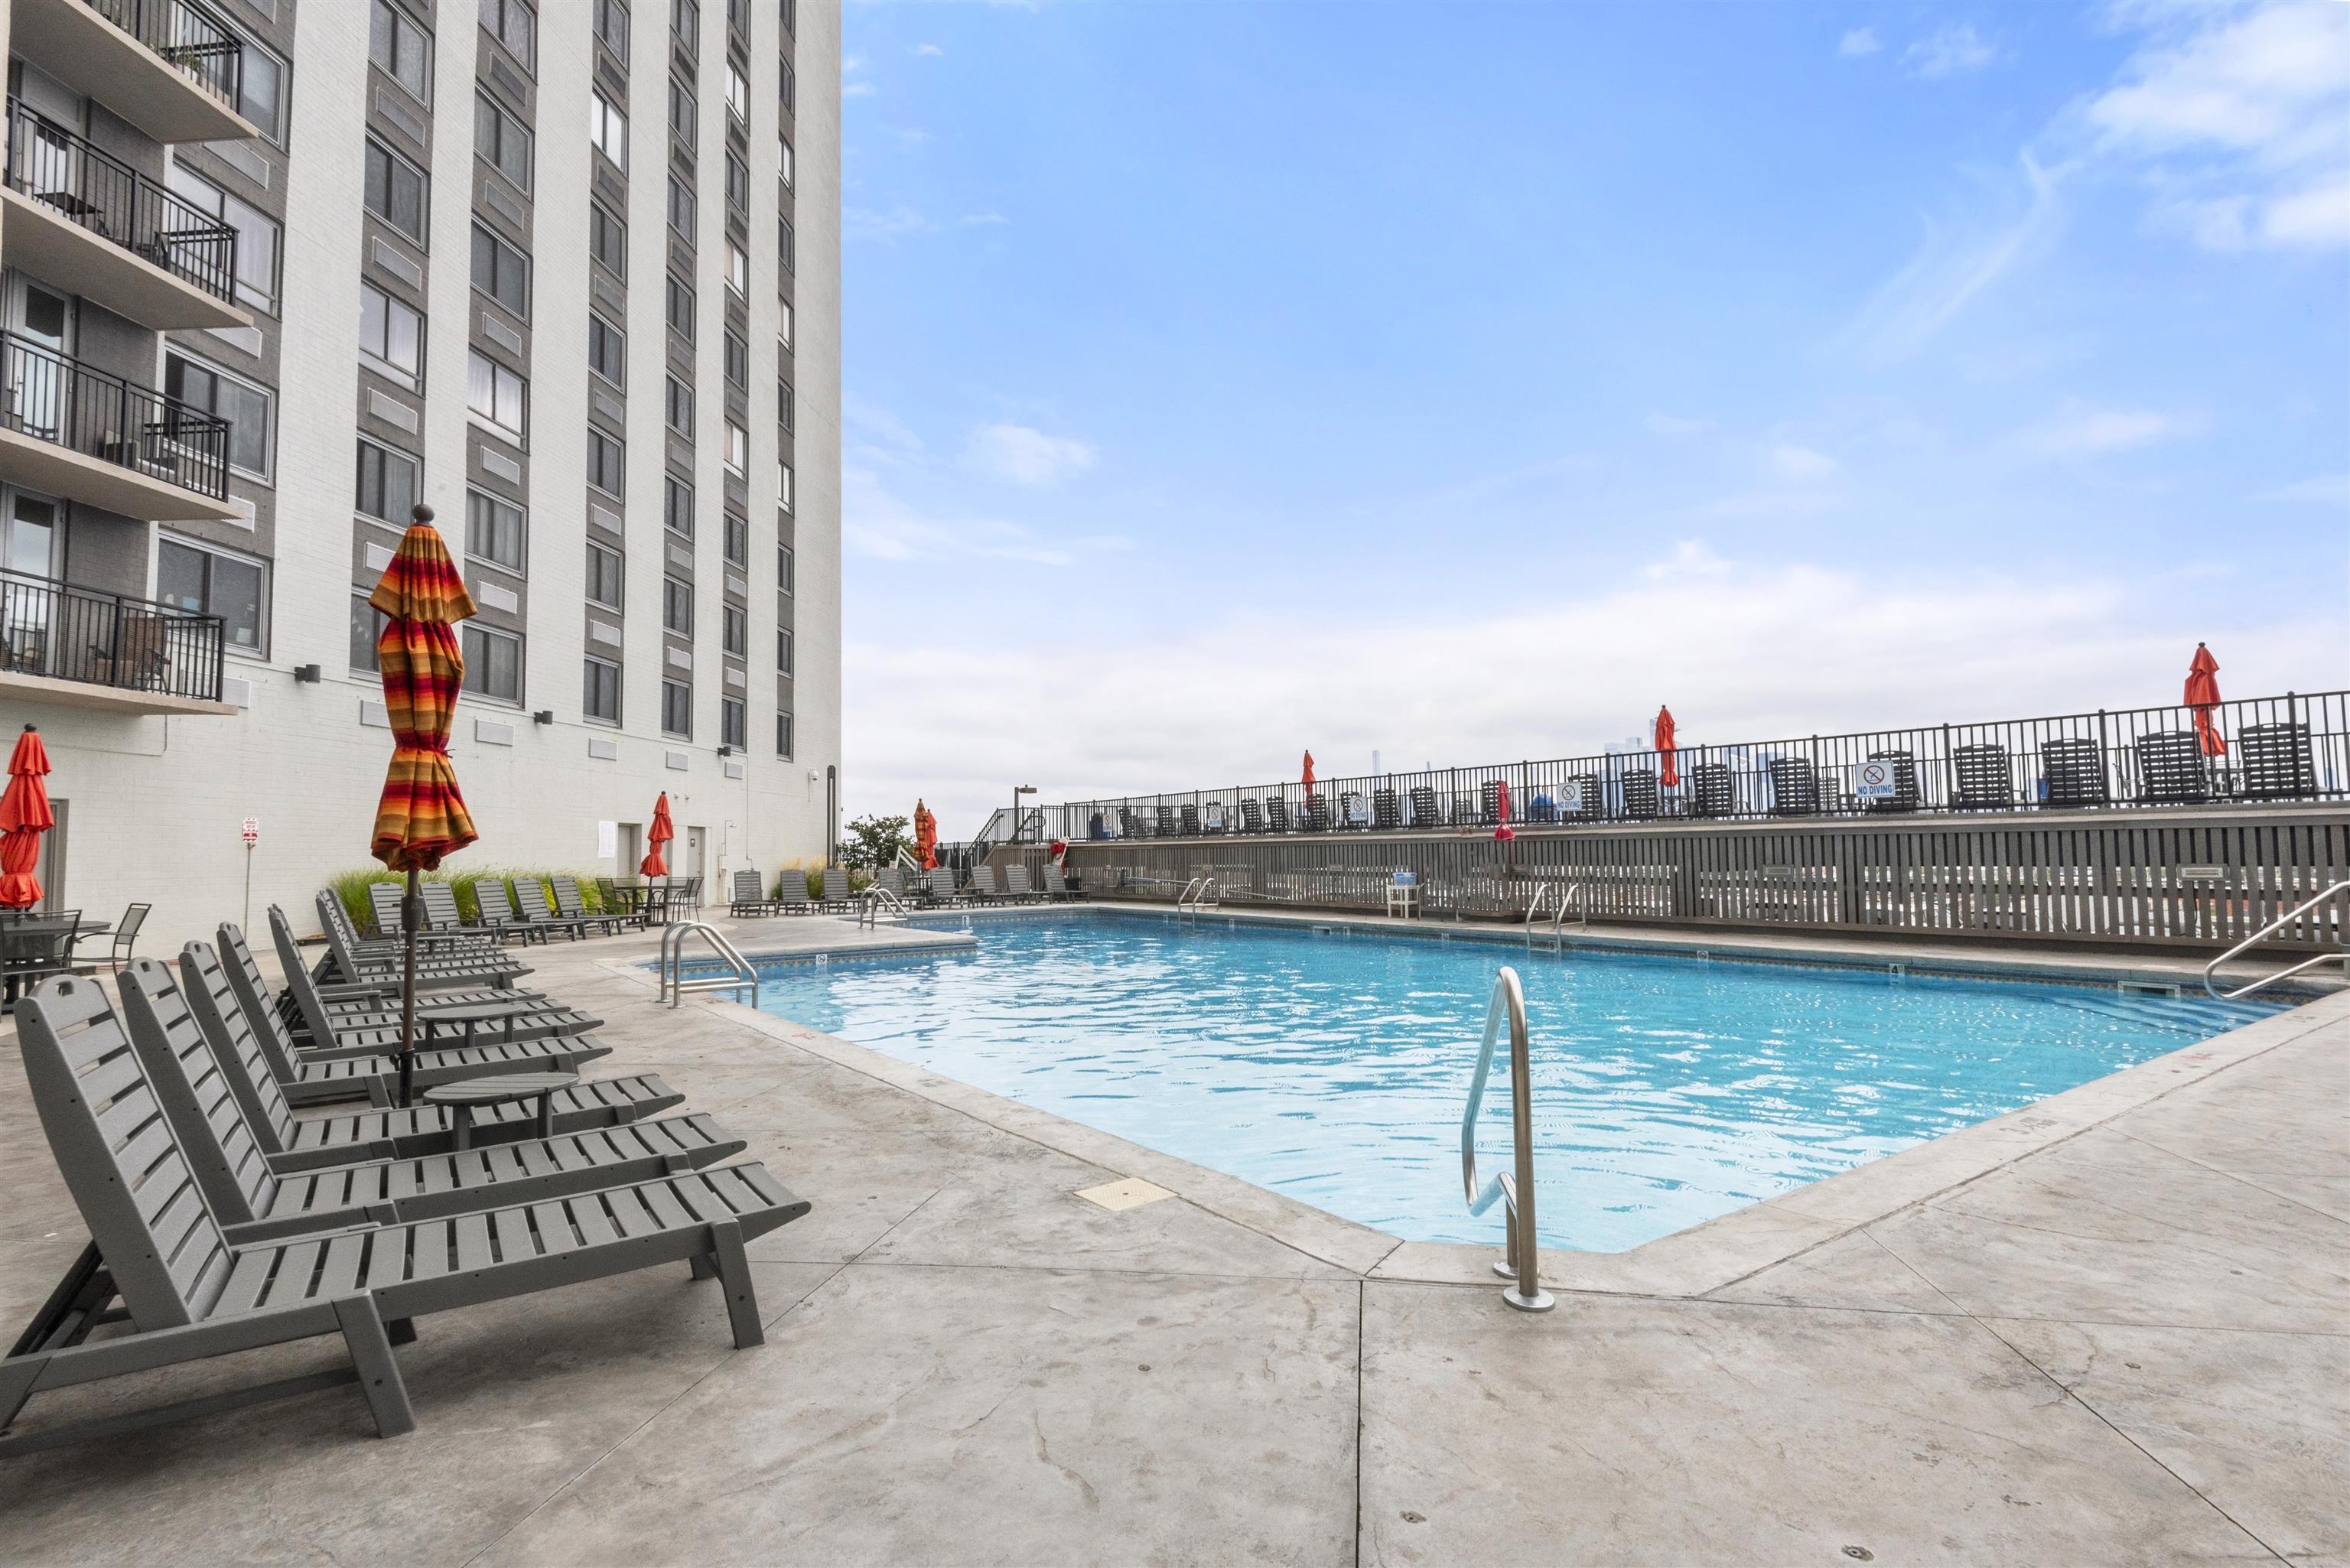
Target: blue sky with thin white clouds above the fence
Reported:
point(1463, 382)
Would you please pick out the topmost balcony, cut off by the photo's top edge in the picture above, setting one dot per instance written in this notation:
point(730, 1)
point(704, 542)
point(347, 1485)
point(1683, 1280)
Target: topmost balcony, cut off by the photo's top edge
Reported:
point(168, 67)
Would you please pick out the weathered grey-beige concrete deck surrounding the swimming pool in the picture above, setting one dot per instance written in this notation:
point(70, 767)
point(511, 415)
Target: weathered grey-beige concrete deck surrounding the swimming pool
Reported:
point(2111, 1329)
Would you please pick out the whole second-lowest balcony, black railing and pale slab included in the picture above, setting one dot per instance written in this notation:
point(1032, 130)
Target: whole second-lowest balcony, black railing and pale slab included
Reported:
point(76, 431)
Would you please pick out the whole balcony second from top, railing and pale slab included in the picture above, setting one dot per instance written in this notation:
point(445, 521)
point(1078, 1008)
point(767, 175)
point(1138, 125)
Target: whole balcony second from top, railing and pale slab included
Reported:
point(98, 227)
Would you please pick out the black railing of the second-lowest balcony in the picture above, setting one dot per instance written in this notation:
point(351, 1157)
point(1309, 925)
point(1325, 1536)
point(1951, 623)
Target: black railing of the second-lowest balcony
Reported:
point(86, 410)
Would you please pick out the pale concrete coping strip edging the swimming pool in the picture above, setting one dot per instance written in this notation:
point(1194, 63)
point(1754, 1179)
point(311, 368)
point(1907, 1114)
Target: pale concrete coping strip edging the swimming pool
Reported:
point(1686, 1264)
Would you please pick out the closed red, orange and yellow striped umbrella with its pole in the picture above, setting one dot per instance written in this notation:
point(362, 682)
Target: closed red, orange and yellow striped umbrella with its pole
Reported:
point(422, 815)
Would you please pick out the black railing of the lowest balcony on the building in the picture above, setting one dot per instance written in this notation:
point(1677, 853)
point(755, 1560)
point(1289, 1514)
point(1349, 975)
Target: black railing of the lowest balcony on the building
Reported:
point(107, 641)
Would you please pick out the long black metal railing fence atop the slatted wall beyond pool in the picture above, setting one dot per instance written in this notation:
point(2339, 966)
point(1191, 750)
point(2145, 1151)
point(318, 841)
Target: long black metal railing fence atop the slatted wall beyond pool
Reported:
point(2276, 749)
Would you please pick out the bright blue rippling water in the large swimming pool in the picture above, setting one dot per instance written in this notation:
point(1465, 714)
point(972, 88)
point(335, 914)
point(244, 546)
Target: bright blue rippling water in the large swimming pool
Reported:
point(1334, 1068)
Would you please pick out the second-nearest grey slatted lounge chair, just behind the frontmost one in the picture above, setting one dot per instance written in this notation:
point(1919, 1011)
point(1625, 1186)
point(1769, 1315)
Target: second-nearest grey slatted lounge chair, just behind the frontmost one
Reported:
point(196, 1078)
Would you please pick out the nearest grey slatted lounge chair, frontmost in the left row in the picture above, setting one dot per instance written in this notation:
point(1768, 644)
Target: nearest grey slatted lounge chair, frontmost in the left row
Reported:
point(192, 1294)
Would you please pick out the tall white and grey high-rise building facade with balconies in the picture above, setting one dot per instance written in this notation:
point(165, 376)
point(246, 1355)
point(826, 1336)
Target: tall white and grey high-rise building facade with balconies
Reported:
point(278, 274)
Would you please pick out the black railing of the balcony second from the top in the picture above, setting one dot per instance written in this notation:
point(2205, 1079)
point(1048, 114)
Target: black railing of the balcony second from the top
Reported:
point(116, 203)
